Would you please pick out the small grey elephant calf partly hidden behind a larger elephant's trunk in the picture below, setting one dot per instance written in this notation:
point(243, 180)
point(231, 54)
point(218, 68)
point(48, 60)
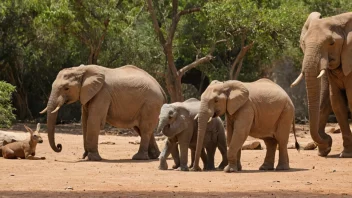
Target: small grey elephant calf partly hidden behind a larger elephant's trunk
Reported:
point(178, 122)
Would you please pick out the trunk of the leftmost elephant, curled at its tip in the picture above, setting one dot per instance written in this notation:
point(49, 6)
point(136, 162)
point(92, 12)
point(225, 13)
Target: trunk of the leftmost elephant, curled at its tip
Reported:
point(54, 101)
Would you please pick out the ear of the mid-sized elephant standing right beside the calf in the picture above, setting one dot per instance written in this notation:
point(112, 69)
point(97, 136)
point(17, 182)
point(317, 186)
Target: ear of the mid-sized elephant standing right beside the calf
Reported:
point(237, 96)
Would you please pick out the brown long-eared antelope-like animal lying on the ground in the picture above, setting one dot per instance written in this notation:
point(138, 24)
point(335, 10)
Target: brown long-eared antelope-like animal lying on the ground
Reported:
point(24, 149)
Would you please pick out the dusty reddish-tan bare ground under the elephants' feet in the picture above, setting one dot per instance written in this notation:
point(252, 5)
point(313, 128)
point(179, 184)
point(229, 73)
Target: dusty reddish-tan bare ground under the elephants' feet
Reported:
point(66, 175)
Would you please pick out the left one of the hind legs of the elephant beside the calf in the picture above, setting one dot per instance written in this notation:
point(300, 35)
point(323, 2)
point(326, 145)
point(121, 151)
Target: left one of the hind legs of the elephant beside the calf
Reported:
point(269, 160)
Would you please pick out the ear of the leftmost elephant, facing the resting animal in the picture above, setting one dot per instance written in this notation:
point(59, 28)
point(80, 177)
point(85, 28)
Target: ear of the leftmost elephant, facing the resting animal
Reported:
point(92, 81)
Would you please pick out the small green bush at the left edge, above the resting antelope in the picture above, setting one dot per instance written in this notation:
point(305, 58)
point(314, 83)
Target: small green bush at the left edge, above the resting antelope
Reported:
point(6, 109)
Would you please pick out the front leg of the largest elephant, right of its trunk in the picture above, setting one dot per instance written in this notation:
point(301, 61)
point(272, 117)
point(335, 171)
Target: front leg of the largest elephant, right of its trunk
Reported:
point(339, 104)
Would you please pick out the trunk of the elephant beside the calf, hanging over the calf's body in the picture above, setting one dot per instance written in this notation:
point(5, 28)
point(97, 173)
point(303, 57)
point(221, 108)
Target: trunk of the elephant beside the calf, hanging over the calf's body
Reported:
point(204, 114)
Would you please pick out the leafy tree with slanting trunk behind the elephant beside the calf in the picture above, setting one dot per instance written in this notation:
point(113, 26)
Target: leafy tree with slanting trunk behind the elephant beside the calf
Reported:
point(259, 30)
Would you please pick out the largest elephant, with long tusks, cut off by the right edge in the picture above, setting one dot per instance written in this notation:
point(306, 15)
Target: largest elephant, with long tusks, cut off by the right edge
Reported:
point(327, 48)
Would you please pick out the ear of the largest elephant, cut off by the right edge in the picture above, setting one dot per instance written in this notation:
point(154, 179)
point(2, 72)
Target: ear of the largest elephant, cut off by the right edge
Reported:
point(346, 53)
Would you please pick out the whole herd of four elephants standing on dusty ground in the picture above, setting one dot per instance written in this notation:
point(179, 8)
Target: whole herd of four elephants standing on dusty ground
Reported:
point(128, 97)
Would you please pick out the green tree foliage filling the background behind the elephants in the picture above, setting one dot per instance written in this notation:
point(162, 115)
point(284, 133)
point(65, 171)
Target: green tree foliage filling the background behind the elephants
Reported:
point(40, 37)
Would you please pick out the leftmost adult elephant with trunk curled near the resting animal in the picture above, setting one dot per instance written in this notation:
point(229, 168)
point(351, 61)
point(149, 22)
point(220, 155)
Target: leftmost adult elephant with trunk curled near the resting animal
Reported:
point(126, 97)
